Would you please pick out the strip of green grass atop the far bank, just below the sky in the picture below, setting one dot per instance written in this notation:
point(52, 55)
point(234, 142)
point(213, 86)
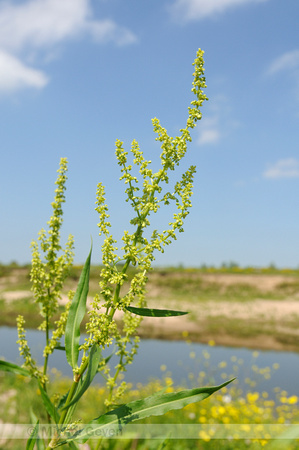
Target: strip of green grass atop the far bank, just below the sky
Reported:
point(177, 282)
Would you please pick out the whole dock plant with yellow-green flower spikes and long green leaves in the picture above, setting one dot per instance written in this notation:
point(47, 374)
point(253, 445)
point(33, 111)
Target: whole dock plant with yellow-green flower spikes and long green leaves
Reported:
point(146, 192)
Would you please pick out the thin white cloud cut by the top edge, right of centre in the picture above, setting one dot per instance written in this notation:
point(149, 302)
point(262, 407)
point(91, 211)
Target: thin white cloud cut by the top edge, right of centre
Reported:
point(188, 10)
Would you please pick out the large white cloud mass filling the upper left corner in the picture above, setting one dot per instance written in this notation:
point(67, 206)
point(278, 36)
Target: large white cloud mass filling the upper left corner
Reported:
point(38, 27)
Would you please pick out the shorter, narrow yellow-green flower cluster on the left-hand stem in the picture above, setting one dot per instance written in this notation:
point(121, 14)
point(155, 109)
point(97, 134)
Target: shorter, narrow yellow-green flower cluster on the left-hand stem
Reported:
point(48, 275)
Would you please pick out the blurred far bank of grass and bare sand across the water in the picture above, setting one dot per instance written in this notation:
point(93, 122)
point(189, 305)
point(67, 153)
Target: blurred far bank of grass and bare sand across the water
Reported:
point(231, 305)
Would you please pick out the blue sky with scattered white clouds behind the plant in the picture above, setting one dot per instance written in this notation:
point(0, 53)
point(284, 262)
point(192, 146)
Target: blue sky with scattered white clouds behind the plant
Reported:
point(75, 75)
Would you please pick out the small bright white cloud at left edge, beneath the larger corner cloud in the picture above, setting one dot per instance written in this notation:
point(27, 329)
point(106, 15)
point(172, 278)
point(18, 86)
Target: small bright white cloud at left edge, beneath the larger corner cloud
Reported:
point(15, 75)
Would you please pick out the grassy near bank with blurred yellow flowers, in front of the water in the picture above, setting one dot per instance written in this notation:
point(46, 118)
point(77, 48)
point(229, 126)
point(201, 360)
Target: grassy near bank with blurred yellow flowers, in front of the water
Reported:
point(230, 407)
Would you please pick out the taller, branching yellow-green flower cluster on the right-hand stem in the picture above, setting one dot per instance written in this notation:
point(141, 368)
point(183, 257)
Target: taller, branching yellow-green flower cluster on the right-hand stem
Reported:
point(144, 192)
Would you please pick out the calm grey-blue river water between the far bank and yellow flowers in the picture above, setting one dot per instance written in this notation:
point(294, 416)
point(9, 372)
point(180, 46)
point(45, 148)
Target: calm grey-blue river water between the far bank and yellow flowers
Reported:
point(183, 362)
